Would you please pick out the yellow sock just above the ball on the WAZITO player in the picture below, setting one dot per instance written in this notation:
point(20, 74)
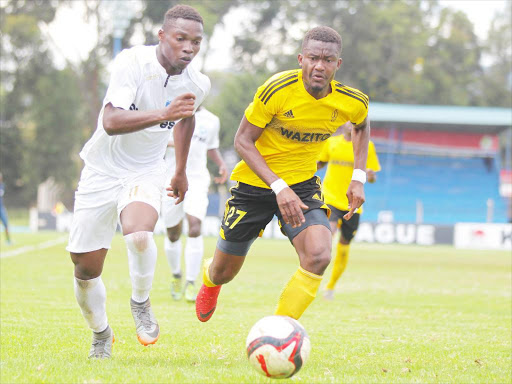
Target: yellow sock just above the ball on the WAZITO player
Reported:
point(298, 293)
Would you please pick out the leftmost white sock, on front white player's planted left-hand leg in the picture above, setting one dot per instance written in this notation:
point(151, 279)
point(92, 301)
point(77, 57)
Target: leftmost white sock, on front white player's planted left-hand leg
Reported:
point(91, 296)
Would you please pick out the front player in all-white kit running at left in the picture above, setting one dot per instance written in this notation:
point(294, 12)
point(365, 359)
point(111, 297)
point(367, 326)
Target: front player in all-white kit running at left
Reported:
point(152, 89)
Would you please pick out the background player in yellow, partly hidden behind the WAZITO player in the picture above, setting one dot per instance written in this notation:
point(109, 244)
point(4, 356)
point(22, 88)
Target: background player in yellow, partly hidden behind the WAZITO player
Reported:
point(339, 156)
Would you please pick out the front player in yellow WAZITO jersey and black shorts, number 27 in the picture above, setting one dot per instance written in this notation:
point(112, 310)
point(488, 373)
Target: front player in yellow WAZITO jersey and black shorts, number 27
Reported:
point(279, 140)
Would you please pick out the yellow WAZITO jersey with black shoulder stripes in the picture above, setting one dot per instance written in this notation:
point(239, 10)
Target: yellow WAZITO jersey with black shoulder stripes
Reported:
point(295, 125)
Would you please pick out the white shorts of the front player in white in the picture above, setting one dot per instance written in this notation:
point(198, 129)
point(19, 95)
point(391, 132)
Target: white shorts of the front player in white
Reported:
point(99, 201)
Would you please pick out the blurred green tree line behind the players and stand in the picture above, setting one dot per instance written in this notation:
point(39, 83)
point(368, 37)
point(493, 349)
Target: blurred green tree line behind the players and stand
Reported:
point(397, 51)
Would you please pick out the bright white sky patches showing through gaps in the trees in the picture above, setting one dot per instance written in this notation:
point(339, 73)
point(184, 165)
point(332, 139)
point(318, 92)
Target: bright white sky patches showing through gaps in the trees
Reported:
point(77, 45)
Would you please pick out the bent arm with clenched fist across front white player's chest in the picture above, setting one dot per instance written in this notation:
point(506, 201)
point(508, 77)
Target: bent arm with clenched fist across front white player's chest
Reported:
point(118, 121)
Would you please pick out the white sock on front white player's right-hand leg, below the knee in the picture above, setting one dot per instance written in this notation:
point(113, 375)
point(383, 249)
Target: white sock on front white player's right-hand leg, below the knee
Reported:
point(142, 254)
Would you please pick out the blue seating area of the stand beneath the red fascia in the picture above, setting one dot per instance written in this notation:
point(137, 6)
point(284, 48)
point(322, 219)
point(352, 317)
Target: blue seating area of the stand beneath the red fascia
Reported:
point(449, 189)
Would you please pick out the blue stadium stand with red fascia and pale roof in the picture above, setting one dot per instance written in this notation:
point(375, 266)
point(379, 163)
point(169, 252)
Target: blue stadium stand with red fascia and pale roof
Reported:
point(440, 164)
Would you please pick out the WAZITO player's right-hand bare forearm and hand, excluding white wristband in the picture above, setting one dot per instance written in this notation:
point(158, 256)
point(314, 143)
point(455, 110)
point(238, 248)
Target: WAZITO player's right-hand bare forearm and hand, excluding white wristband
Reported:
point(360, 140)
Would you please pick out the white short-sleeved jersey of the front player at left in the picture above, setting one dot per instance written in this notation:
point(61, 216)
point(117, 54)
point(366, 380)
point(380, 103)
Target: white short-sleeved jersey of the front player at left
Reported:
point(139, 82)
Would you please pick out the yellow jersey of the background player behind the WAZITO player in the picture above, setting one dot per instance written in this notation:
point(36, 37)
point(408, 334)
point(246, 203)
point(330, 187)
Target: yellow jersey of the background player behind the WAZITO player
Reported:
point(339, 154)
